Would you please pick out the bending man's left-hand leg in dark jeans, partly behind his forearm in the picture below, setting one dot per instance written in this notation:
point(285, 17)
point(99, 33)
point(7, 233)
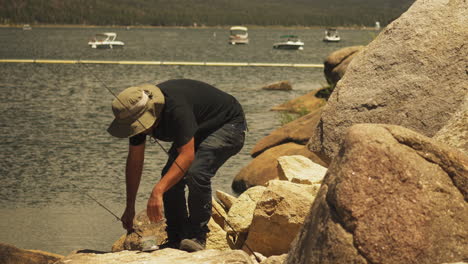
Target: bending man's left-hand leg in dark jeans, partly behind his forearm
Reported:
point(175, 208)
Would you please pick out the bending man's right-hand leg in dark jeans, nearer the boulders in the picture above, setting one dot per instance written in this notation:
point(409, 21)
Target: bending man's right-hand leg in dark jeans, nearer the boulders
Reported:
point(210, 155)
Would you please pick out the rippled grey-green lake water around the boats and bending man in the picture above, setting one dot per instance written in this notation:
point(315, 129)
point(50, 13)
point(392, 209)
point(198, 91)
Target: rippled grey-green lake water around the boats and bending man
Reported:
point(54, 118)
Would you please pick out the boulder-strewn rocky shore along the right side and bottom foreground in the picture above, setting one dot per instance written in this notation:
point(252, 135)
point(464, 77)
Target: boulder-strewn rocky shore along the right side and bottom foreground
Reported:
point(377, 174)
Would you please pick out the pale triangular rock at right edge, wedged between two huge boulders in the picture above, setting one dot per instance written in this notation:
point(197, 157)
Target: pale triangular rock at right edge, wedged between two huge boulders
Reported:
point(455, 132)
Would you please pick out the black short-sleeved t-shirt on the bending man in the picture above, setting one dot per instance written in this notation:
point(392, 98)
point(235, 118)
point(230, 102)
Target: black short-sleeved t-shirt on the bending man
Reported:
point(192, 109)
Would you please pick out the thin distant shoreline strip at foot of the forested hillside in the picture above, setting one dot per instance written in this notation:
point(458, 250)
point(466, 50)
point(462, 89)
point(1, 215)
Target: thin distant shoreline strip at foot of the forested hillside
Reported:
point(198, 27)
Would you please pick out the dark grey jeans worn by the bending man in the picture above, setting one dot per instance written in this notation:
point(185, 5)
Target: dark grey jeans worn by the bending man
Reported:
point(210, 155)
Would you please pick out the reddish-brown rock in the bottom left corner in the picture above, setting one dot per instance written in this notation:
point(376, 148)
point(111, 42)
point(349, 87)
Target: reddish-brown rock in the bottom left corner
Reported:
point(12, 255)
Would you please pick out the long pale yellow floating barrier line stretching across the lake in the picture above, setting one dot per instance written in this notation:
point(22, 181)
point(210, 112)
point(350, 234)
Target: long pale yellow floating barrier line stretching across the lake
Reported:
point(165, 63)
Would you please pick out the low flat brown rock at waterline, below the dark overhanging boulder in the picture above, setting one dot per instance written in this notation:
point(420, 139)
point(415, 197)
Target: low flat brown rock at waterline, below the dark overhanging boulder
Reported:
point(308, 102)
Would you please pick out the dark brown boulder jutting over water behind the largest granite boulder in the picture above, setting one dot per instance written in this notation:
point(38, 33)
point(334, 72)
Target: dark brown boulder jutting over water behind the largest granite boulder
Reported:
point(336, 63)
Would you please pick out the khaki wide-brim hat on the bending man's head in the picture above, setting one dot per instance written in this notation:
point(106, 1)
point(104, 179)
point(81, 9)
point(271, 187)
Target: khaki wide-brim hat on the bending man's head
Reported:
point(136, 109)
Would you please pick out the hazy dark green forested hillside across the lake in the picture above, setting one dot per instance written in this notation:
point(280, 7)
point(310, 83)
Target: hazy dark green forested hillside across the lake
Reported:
point(203, 12)
